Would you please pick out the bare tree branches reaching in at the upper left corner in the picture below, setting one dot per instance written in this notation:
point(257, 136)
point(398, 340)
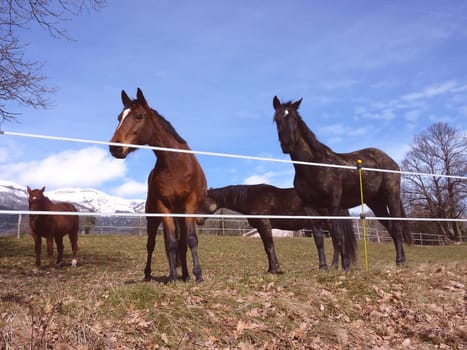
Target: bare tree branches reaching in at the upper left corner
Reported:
point(21, 79)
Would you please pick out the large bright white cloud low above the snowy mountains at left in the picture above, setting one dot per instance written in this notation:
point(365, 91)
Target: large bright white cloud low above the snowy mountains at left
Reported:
point(86, 167)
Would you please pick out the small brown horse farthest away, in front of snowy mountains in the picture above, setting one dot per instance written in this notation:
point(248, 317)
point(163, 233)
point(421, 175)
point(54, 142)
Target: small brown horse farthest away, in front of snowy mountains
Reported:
point(52, 227)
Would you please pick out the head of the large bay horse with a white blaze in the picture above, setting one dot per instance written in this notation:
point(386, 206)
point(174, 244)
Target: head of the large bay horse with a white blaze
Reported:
point(132, 125)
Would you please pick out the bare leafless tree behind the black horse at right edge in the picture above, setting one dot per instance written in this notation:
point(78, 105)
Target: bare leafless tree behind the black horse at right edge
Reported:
point(439, 150)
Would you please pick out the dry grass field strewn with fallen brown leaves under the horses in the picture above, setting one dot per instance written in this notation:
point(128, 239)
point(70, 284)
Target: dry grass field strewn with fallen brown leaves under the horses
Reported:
point(103, 303)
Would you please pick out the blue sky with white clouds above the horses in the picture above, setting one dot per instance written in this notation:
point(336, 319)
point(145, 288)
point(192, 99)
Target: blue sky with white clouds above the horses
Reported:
point(370, 74)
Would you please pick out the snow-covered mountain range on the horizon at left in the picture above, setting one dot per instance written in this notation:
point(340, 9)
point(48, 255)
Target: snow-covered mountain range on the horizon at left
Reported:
point(14, 196)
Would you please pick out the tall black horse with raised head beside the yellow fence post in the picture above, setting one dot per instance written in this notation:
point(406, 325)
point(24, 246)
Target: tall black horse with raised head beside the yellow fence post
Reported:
point(335, 188)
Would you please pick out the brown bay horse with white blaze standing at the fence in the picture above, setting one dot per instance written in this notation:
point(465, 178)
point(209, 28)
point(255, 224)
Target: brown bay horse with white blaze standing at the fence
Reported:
point(176, 184)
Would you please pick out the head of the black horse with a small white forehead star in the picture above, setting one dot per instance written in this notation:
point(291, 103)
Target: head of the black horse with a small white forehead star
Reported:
point(287, 119)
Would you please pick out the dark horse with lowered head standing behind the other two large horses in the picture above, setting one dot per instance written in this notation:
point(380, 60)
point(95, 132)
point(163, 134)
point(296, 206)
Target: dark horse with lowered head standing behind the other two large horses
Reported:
point(269, 200)
